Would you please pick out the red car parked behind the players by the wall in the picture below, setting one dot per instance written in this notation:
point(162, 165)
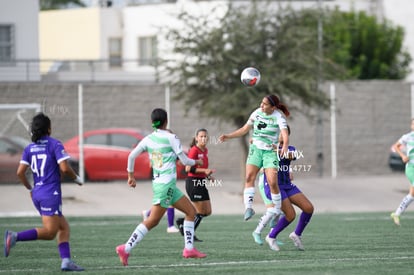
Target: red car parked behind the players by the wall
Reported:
point(106, 154)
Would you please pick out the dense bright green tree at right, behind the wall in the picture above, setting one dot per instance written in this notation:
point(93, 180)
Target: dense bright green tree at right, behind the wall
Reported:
point(367, 47)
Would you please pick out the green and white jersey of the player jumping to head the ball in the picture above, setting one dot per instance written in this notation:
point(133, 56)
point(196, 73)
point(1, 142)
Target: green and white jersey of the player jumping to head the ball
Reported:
point(266, 128)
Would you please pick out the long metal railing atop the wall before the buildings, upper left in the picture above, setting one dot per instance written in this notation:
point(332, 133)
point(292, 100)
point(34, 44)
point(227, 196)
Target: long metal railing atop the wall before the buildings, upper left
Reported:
point(78, 70)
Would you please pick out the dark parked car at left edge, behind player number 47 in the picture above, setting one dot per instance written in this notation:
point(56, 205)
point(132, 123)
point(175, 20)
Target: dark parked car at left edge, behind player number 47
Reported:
point(11, 149)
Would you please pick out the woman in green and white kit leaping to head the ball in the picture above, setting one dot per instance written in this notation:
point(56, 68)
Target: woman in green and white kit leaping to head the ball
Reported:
point(267, 122)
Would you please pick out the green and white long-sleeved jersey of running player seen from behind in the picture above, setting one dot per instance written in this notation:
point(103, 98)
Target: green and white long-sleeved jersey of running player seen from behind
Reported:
point(163, 149)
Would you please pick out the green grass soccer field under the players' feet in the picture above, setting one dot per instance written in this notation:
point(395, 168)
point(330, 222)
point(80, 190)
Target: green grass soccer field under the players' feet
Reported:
point(357, 244)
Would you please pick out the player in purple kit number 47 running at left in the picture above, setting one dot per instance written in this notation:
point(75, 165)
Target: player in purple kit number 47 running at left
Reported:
point(47, 158)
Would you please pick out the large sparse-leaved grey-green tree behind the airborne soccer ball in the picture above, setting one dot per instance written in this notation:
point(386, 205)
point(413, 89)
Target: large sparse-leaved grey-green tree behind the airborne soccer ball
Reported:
point(212, 52)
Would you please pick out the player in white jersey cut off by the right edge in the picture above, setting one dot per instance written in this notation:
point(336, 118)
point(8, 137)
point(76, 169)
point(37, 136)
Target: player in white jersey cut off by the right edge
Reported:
point(406, 141)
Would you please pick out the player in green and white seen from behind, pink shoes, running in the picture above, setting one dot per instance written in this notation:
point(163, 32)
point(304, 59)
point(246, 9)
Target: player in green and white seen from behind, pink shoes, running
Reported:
point(163, 148)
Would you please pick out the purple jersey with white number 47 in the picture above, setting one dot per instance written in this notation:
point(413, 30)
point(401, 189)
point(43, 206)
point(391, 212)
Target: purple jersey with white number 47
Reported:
point(44, 157)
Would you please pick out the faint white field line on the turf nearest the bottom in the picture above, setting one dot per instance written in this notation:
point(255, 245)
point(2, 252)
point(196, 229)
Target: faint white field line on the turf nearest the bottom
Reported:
point(227, 263)
